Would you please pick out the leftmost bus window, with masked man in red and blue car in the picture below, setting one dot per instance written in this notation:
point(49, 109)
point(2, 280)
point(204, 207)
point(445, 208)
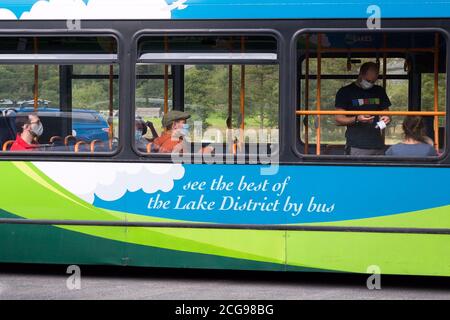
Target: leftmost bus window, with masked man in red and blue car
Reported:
point(62, 92)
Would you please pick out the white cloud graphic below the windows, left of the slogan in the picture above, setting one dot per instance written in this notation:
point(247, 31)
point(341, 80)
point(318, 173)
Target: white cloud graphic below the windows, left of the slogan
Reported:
point(110, 181)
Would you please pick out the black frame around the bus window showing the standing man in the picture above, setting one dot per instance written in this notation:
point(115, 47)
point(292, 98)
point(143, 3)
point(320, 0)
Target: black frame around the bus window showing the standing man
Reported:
point(349, 159)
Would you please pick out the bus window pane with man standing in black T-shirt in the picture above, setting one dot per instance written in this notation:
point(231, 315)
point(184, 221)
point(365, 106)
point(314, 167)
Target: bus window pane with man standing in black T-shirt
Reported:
point(330, 67)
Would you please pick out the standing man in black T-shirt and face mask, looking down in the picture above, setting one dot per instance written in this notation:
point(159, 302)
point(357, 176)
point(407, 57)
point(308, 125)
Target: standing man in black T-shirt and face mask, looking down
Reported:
point(363, 135)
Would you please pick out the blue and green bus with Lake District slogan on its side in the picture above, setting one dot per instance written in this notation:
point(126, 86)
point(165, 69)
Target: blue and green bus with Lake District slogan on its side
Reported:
point(257, 83)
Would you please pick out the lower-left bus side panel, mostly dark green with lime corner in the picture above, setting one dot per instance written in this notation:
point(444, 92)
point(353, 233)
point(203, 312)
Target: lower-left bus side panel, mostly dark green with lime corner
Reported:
point(55, 245)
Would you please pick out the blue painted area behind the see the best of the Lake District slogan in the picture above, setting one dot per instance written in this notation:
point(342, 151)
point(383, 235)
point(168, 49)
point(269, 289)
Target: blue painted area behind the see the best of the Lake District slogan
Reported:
point(239, 194)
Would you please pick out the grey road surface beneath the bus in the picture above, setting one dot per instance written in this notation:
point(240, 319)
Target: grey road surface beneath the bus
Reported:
point(50, 282)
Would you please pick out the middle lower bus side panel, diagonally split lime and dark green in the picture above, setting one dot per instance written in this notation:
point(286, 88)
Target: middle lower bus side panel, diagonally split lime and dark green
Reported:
point(206, 248)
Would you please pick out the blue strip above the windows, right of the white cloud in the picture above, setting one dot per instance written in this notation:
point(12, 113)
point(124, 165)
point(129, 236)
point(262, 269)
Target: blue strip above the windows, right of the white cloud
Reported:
point(290, 9)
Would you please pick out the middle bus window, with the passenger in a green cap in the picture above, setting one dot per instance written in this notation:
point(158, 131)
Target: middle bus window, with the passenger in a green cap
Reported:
point(227, 85)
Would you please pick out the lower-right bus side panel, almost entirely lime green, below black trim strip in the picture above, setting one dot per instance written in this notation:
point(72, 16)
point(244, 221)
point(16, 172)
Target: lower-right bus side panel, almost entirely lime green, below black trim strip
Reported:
point(406, 254)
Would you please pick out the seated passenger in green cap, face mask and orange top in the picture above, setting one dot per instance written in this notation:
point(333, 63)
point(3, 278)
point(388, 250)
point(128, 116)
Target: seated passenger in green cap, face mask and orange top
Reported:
point(175, 130)
